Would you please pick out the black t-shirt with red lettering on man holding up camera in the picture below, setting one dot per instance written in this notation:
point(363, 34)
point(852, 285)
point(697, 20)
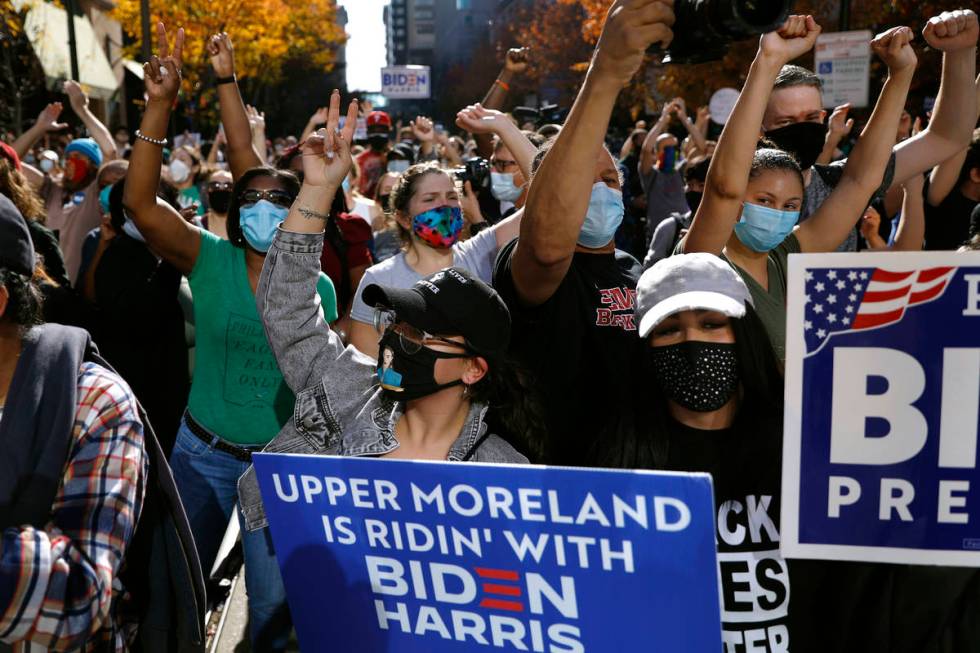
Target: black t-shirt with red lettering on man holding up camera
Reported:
point(580, 347)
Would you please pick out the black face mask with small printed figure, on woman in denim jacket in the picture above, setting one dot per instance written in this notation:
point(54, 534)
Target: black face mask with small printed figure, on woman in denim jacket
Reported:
point(405, 376)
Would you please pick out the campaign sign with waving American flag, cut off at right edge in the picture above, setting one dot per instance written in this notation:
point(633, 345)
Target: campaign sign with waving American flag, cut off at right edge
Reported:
point(882, 408)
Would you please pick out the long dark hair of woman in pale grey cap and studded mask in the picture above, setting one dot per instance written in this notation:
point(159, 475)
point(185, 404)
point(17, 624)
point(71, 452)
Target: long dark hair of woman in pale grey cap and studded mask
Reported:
point(638, 439)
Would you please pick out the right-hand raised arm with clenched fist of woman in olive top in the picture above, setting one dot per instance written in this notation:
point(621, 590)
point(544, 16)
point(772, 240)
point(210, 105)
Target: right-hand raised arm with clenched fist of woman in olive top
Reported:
point(865, 168)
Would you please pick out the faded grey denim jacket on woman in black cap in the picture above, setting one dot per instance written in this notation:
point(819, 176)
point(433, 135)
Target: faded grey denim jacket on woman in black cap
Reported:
point(340, 408)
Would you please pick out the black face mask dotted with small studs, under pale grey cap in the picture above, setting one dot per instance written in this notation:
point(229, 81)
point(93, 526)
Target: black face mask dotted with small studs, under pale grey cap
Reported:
point(700, 376)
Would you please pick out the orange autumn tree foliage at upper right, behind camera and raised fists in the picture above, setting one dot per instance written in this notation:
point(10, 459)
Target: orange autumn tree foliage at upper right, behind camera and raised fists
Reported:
point(562, 34)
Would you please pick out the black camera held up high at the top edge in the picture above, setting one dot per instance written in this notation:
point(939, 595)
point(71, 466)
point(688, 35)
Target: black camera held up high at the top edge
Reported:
point(703, 29)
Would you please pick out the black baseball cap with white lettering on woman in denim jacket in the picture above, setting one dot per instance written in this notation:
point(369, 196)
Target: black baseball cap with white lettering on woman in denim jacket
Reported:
point(449, 302)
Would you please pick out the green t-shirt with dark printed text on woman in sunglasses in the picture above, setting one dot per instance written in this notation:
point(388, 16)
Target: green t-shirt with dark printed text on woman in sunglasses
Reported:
point(238, 391)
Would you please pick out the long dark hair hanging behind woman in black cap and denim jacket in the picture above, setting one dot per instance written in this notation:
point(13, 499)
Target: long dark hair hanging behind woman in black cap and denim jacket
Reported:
point(516, 414)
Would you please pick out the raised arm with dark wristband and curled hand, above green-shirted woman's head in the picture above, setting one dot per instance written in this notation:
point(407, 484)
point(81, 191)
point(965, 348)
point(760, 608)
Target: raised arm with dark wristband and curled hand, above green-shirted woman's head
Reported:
point(238, 133)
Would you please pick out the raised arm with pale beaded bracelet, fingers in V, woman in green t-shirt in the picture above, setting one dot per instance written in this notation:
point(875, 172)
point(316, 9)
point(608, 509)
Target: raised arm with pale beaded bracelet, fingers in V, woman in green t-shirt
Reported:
point(165, 231)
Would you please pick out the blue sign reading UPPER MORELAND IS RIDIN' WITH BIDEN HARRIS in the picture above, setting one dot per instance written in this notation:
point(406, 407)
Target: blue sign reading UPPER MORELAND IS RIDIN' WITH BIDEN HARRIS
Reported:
point(428, 557)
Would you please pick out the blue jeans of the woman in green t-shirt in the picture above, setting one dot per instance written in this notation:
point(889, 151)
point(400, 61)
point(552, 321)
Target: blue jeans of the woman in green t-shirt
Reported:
point(207, 482)
